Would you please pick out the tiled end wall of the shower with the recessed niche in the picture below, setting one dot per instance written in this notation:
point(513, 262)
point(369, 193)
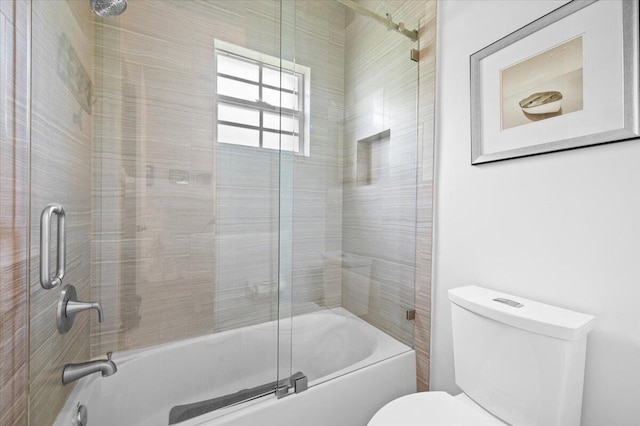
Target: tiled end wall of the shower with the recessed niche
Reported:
point(379, 210)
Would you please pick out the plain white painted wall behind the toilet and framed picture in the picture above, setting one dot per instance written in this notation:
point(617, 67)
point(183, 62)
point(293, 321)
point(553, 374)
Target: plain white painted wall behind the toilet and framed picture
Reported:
point(562, 228)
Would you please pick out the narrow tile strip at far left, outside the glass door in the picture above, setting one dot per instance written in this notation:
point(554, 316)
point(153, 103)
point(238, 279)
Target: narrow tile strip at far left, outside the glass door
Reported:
point(14, 348)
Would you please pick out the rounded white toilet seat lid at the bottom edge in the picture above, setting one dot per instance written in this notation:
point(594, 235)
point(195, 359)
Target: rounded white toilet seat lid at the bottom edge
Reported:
point(433, 409)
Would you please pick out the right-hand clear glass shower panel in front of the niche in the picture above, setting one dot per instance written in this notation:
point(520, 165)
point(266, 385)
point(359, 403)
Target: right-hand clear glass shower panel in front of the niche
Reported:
point(362, 237)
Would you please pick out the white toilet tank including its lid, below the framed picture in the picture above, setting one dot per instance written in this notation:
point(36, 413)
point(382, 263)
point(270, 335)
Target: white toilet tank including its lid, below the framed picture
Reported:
point(521, 360)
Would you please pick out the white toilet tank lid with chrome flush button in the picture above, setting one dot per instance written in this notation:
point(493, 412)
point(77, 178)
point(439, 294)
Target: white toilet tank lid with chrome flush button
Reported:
point(523, 313)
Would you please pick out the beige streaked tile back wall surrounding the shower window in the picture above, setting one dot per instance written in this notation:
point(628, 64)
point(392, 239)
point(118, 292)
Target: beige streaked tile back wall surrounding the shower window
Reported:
point(182, 224)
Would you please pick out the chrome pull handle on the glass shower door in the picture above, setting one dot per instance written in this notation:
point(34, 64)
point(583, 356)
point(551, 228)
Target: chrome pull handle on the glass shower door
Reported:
point(46, 280)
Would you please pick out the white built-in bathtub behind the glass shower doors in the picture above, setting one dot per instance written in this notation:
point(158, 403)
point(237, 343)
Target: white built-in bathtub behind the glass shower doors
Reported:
point(352, 368)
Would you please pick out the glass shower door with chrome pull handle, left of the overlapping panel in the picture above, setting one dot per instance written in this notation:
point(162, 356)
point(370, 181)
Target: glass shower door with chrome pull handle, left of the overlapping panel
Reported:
point(144, 129)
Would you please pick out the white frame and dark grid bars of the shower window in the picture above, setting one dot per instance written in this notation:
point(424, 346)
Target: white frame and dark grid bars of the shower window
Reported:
point(263, 60)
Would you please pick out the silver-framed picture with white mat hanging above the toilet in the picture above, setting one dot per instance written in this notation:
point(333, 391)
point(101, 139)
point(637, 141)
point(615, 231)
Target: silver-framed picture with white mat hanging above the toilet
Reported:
point(566, 80)
